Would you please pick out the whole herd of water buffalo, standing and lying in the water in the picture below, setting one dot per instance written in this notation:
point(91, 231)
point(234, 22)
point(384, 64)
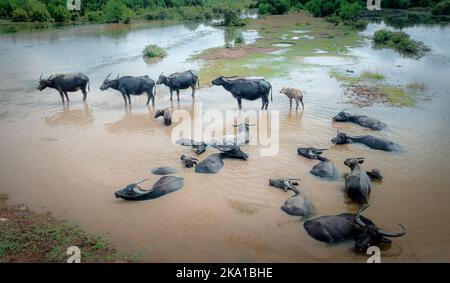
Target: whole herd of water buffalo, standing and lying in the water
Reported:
point(329, 229)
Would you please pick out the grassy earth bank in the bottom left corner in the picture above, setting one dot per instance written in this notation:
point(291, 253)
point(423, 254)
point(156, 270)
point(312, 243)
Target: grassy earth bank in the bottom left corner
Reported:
point(26, 236)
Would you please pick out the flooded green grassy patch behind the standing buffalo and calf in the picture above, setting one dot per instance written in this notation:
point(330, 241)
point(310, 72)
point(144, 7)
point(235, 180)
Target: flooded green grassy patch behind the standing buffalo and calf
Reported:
point(285, 40)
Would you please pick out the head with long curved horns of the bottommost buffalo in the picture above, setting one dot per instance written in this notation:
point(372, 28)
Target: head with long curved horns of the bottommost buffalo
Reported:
point(366, 234)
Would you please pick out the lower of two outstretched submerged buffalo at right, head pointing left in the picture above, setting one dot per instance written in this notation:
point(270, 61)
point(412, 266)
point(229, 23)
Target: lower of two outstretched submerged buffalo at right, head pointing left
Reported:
point(370, 141)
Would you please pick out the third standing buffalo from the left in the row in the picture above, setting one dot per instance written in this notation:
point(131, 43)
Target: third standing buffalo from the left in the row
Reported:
point(178, 81)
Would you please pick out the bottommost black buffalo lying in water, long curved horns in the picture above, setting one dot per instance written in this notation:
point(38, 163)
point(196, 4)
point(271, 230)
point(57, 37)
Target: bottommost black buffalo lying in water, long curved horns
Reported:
point(346, 226)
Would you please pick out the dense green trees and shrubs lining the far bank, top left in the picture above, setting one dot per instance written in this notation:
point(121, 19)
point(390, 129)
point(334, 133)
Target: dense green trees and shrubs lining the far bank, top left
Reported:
point(117, 10)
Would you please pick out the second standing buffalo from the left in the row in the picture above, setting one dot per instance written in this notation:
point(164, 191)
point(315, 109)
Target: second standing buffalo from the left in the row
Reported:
point(129, 85)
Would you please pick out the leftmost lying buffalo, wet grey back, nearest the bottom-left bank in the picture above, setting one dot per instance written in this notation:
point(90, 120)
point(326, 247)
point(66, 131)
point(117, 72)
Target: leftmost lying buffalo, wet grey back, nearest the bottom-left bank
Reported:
point(163, 186)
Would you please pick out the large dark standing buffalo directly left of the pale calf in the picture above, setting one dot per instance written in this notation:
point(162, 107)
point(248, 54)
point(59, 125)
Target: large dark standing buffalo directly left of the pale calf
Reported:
point(250, 89)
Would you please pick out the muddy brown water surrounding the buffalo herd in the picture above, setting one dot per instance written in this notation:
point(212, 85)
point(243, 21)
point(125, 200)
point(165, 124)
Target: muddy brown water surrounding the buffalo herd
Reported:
point(70, 159)
